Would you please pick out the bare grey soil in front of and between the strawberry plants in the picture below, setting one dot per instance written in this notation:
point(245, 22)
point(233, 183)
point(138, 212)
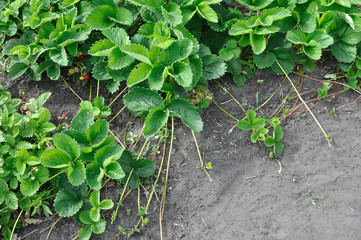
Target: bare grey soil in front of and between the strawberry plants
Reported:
point(248, 198)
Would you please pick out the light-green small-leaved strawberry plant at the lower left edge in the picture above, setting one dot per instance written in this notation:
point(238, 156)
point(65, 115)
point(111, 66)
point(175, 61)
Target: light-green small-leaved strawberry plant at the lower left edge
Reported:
point(24, 134)
